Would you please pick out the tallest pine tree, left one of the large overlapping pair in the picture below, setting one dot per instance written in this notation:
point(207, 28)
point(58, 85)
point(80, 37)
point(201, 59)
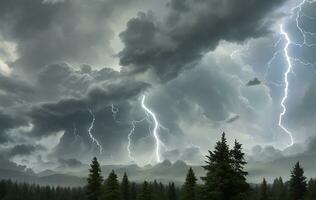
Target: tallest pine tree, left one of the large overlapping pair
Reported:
point(218, 181)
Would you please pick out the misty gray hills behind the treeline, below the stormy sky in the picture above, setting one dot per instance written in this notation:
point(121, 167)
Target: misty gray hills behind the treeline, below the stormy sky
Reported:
point(163, 172)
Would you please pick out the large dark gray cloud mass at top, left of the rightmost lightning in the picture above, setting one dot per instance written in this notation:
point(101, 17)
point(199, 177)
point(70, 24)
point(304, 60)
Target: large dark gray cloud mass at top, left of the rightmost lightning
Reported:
point(189, 31)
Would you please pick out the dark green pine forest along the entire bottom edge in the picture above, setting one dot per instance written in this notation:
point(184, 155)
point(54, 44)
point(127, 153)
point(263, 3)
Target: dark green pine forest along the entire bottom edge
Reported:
point(225, 179)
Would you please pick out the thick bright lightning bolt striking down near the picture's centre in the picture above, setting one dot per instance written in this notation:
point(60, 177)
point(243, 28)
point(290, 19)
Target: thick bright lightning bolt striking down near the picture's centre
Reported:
point(155, 129)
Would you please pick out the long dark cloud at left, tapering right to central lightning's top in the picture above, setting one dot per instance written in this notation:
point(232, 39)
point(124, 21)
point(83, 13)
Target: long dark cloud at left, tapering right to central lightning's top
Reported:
point(60, 115)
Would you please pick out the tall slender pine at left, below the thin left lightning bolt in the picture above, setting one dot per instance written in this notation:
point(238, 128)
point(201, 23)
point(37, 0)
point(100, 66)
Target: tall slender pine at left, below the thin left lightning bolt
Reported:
point(95, 179)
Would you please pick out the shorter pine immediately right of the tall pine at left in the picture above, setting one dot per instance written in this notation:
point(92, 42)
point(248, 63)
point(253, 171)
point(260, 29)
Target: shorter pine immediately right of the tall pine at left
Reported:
point(111, 188)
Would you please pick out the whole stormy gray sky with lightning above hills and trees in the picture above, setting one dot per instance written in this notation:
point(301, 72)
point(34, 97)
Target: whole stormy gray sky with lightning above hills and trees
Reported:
point(141, 81)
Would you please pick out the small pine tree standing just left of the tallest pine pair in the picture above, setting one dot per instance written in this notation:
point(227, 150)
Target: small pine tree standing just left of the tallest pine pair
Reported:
point(189, 188)
